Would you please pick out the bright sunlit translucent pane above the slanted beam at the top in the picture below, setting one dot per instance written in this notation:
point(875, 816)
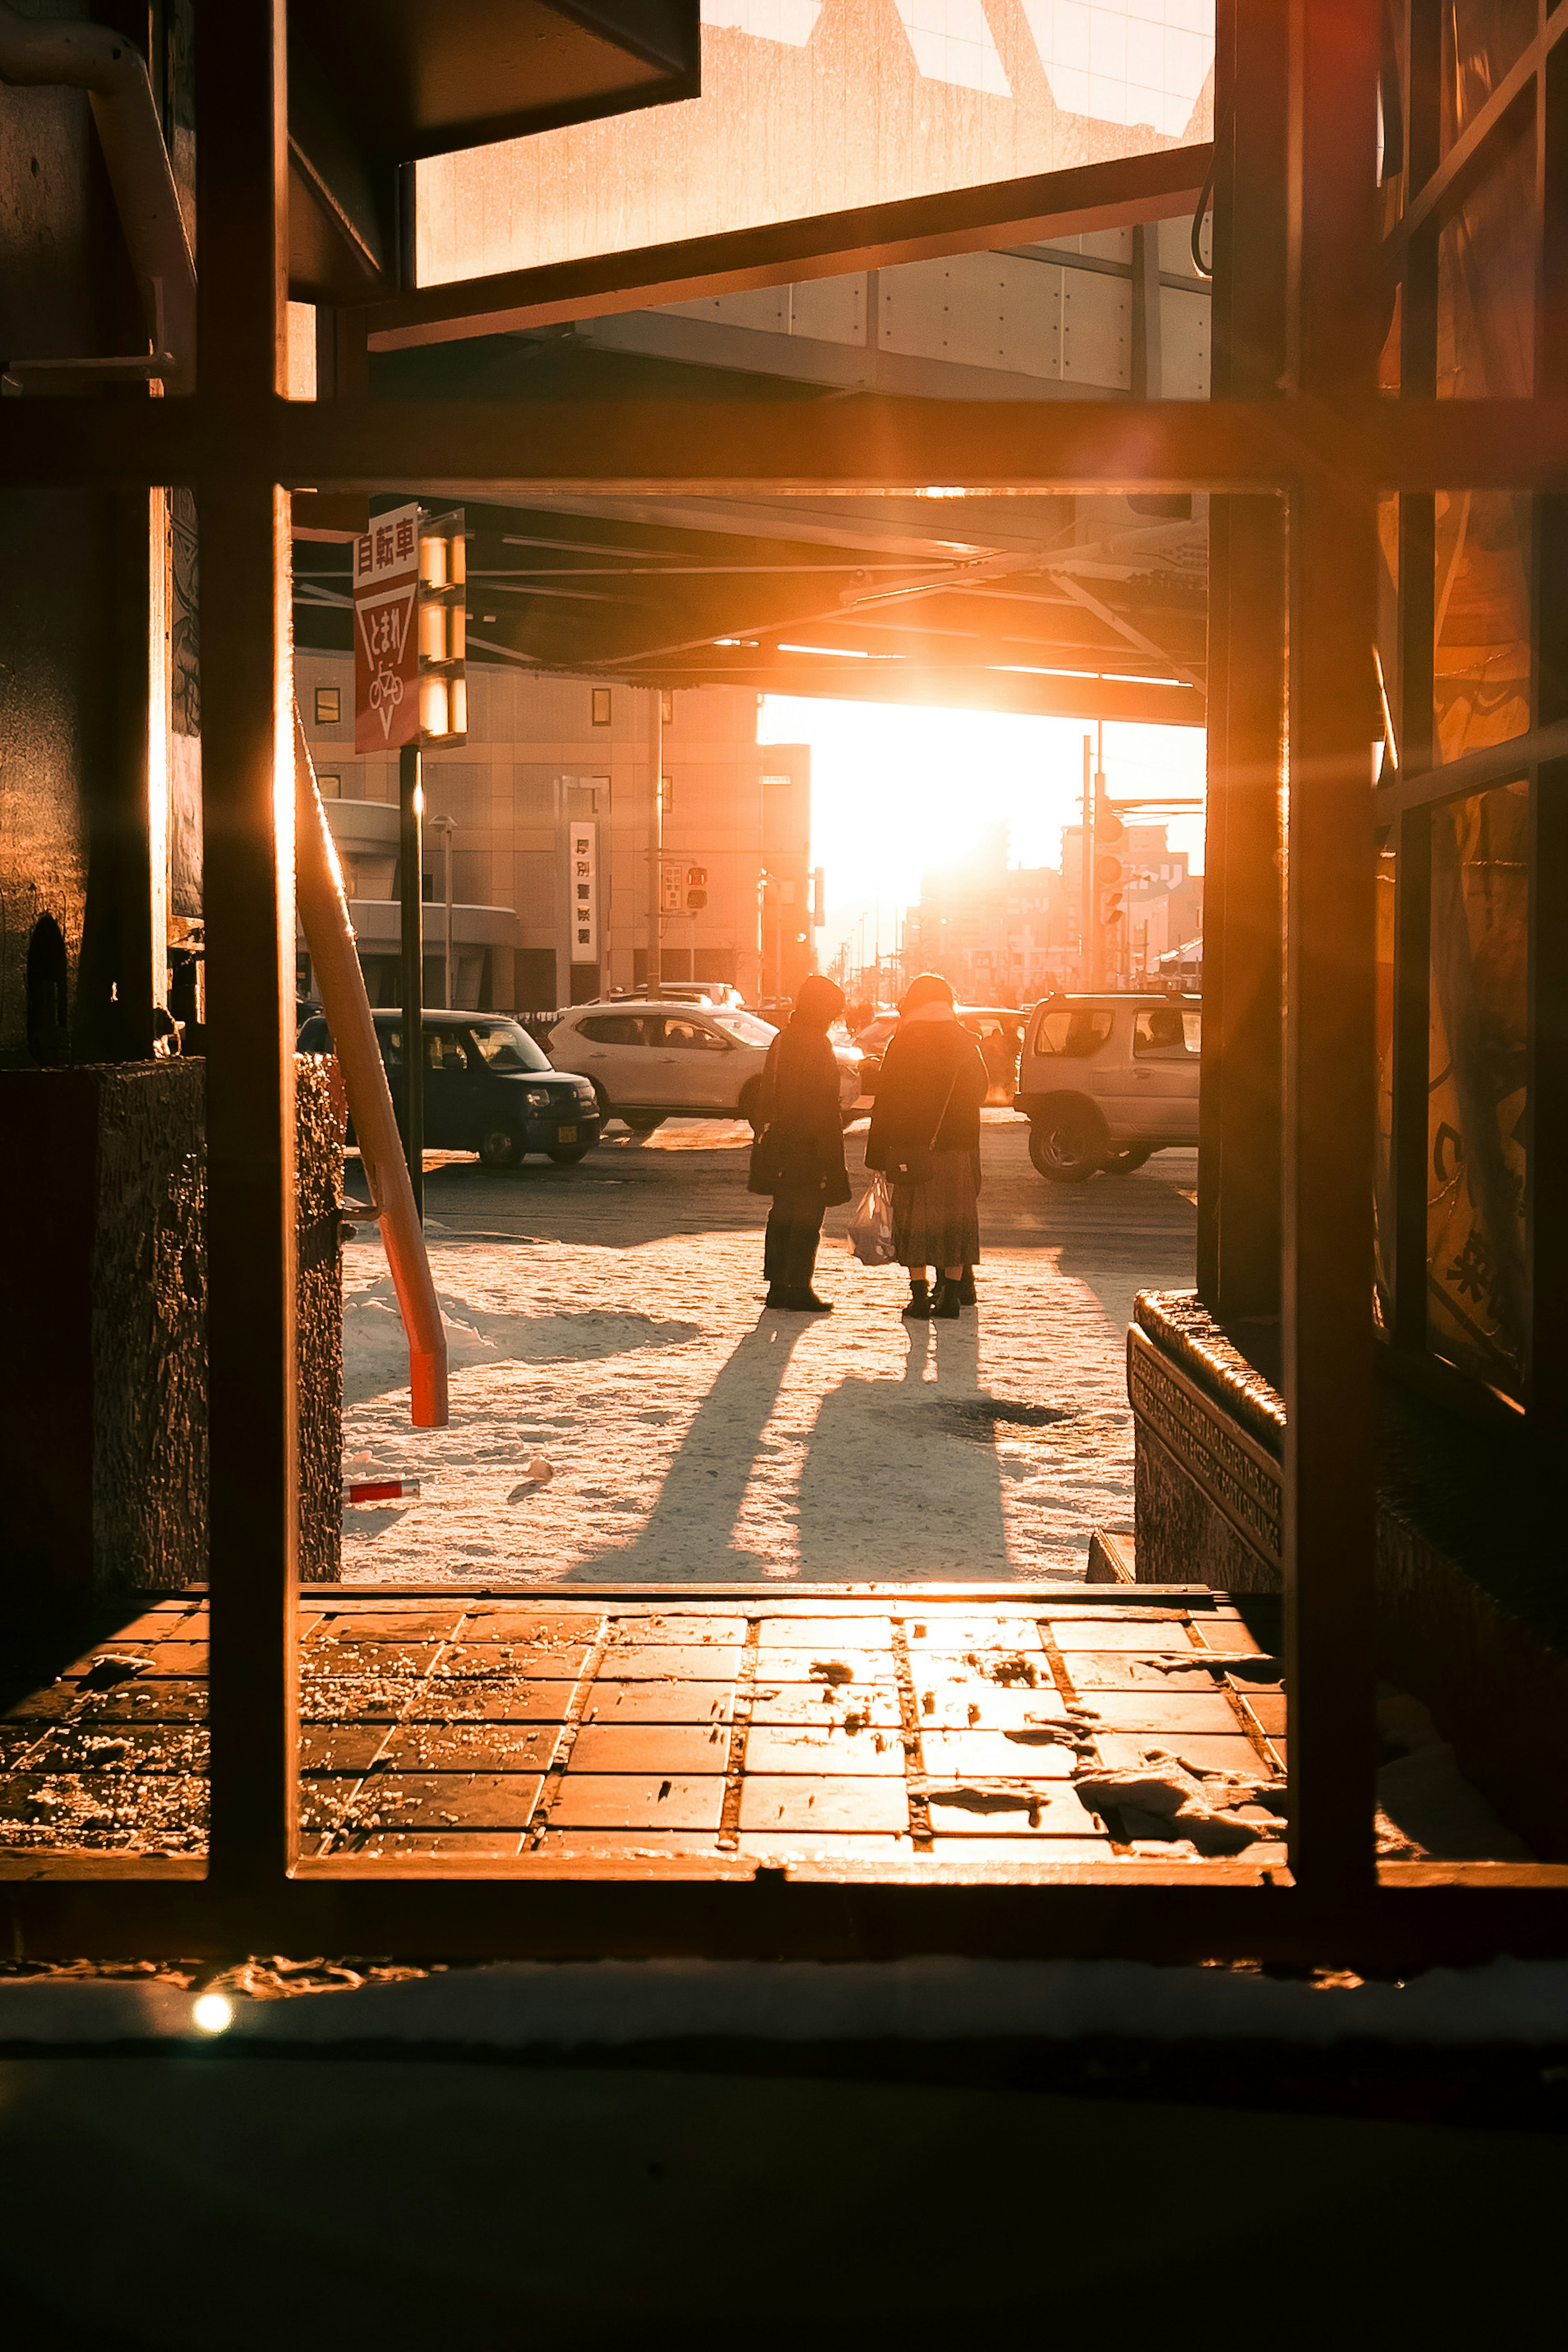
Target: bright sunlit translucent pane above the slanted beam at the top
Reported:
point(824, 107)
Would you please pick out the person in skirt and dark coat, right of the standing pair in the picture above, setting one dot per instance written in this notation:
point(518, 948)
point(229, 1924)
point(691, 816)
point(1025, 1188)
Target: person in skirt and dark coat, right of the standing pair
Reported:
point(927, 1142)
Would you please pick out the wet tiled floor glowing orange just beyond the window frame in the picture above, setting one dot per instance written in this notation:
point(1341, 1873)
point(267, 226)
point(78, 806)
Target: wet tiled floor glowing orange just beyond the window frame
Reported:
point(850, 1730)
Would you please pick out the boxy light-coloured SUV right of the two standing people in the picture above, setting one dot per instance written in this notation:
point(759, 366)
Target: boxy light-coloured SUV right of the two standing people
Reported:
point(1108, 1081)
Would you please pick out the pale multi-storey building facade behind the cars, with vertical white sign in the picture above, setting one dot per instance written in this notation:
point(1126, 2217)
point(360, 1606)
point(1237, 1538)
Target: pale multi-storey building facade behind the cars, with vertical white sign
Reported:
point(558, 777)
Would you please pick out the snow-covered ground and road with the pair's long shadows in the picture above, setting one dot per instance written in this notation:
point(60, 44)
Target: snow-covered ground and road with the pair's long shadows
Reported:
point(608, 1328)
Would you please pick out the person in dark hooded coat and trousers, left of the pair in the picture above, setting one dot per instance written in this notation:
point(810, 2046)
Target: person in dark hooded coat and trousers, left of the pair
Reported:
point(800, 1147)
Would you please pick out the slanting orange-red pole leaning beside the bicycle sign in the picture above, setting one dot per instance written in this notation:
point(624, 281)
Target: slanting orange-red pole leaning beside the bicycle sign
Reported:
point(323, 911)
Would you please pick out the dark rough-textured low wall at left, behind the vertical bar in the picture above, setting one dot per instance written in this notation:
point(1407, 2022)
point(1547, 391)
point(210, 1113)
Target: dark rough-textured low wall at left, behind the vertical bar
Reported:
point(105, 1358)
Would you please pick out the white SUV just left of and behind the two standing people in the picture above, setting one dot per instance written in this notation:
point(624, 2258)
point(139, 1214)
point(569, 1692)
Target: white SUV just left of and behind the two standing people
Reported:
point(650, 1062)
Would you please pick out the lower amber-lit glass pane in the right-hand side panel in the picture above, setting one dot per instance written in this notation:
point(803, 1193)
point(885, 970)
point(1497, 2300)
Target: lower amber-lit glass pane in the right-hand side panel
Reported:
point(1477, 1121)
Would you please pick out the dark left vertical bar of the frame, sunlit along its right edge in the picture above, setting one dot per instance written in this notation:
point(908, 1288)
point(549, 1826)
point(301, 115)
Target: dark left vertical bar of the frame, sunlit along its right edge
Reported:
point(248, 806)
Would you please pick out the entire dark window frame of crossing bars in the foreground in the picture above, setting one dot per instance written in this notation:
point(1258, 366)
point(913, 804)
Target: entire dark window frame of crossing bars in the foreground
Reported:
point(1327, 446)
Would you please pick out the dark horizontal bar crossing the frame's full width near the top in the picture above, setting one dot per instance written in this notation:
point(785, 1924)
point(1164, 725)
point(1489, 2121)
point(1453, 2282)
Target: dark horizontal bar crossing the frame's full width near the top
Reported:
point(765, 448)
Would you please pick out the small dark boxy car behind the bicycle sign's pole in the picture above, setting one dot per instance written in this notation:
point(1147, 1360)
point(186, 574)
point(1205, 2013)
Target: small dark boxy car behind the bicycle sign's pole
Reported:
point(490, 1088)
